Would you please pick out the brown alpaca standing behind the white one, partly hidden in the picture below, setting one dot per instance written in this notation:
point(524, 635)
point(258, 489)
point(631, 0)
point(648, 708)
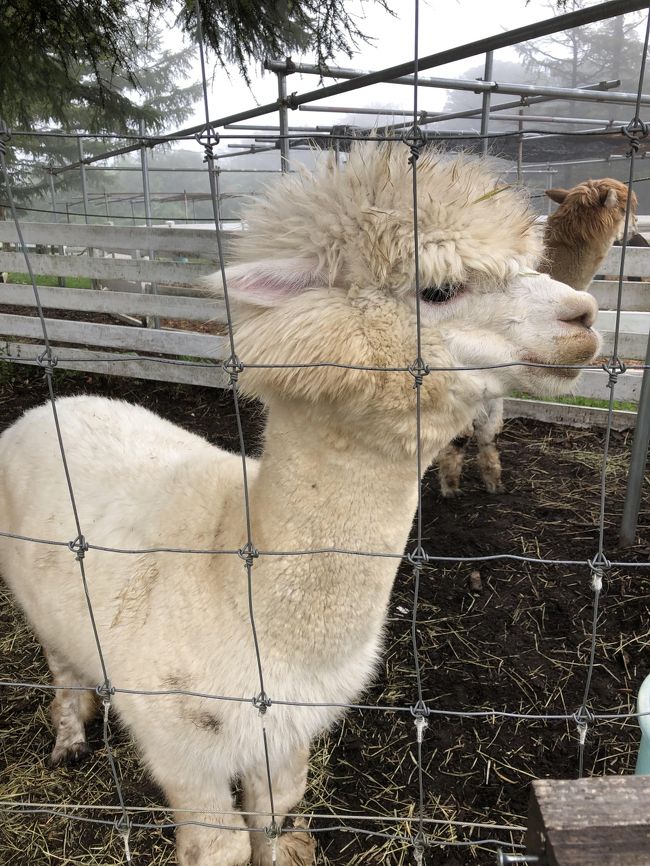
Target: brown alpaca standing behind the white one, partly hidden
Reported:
point(577, 237)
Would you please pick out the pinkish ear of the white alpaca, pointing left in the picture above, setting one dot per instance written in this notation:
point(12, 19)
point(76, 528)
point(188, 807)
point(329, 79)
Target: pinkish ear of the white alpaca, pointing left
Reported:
point(269, 281)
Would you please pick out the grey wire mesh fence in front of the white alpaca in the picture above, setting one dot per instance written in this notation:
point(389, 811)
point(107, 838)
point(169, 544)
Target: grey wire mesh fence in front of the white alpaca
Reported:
point(418, 831)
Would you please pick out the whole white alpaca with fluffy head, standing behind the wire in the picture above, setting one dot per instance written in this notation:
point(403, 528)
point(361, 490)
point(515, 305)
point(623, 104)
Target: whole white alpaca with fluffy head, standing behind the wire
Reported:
point(325, 273)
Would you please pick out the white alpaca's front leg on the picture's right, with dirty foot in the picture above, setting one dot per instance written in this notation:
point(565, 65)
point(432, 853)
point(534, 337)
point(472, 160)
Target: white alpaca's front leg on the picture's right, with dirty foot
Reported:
point(288, 783)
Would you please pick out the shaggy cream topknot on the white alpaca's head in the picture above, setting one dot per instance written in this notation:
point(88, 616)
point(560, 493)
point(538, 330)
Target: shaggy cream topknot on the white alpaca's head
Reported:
point(355, 222)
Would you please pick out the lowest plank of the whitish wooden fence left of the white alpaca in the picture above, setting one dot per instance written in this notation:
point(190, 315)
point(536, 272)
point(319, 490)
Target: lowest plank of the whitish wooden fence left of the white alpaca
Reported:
point(141, 368)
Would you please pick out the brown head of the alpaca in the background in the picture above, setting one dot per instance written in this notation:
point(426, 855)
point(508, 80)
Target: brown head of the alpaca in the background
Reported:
point(593, 211)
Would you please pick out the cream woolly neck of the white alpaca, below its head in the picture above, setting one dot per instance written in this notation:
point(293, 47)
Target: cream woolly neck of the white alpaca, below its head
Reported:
point(318, 487)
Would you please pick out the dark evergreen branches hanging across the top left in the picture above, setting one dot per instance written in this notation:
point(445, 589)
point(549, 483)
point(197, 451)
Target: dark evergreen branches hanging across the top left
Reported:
point(46, 41)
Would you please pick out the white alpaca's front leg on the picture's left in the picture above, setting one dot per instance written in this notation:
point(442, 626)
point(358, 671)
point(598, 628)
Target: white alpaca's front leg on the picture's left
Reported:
point(225, 841)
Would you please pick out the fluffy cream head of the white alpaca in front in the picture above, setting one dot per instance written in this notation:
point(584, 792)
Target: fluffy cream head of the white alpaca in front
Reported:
point(326, 273)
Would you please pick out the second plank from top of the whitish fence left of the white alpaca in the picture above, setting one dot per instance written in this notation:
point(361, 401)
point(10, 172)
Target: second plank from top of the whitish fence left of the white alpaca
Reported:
point(138, 270)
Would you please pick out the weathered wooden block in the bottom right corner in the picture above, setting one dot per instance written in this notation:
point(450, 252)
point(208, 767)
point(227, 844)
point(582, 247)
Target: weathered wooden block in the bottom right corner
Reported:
point(602, 821)
